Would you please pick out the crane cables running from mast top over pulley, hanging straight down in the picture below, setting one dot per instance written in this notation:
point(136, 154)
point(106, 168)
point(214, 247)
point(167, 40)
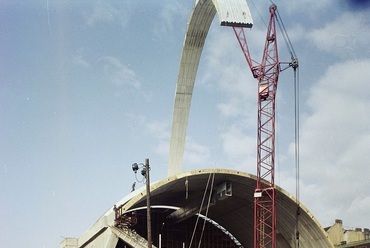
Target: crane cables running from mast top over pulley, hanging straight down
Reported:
point(294, 65)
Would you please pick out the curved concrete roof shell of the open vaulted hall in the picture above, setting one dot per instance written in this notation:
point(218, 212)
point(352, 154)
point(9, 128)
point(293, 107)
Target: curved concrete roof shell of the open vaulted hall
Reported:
point(234, 213)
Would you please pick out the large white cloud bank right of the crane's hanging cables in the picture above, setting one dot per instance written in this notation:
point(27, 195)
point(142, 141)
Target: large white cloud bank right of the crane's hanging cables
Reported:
point(335, 138)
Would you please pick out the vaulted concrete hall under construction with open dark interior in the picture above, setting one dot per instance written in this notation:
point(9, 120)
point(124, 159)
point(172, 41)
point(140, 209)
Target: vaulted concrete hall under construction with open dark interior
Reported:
point(202, 208)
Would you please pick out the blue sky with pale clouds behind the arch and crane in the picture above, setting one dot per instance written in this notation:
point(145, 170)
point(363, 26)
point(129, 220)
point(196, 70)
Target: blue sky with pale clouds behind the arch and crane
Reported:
point(87, 88)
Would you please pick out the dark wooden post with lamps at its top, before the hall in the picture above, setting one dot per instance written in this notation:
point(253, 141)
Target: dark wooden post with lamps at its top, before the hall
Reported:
point(145, 172)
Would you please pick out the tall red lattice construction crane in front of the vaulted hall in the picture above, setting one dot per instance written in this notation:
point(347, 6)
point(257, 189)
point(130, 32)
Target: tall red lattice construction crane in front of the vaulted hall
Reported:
point(267, 75)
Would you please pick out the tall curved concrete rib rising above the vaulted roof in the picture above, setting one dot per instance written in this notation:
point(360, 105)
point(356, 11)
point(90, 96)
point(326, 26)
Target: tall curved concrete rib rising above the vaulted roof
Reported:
point(230, 13)
